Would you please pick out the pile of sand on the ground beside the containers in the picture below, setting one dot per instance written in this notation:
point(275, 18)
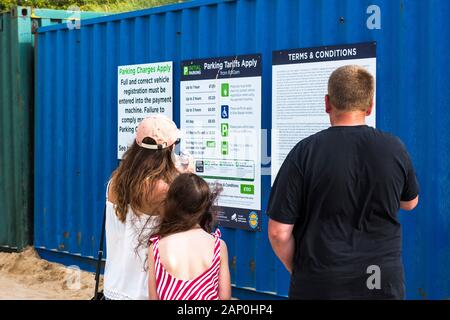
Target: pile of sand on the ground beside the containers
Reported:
point(25, 275)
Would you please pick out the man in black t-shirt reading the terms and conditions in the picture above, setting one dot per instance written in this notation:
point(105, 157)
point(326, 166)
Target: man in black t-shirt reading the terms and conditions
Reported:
point(334, 205)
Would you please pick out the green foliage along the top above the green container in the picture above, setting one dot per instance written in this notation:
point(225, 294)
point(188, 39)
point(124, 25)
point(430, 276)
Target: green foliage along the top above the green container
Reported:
point(87, 5)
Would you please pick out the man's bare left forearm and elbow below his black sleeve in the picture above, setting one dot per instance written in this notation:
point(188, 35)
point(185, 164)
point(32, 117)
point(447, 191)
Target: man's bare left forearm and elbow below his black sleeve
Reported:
point(282, 241)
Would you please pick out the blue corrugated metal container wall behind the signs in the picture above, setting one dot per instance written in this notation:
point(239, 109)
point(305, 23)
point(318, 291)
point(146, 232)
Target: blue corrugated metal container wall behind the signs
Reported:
point(76, 112)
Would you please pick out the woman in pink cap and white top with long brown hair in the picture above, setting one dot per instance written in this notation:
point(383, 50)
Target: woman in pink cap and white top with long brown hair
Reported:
point(134, 196)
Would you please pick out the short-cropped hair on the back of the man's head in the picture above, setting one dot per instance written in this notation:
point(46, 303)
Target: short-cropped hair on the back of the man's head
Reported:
point(351, 88)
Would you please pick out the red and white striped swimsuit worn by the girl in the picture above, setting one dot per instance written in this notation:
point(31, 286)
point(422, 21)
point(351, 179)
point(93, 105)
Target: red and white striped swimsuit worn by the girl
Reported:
point(203, 287)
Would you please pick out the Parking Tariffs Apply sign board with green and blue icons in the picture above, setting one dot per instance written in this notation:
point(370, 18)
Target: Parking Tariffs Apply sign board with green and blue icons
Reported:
point(220, 103)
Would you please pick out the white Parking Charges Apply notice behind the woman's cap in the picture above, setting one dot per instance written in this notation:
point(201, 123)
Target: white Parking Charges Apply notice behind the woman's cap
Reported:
point(143, 90)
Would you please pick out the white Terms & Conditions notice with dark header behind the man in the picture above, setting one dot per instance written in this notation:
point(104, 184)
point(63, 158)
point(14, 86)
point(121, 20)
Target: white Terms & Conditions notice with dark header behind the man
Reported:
point(299, 85)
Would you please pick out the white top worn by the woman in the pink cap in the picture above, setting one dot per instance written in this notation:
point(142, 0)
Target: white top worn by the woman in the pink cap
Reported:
point(125, 277)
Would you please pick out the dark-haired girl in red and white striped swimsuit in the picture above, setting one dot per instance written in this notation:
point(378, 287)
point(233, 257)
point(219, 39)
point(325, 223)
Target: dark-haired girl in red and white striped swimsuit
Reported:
point(188, 262)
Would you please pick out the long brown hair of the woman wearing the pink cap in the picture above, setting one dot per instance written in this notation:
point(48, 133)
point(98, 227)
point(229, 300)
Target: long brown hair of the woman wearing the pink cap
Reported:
point(134, 181)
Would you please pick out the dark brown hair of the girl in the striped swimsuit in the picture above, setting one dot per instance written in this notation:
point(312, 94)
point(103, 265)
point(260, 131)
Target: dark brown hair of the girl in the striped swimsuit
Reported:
point(189, 202)
